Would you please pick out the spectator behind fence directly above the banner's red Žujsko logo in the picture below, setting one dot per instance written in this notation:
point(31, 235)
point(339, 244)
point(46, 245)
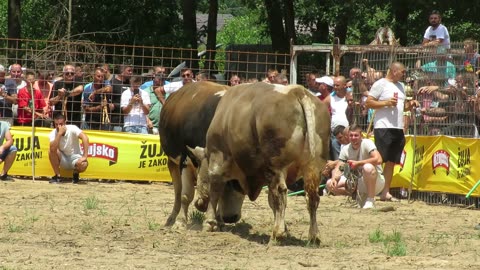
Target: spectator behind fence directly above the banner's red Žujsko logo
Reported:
point(96, 103)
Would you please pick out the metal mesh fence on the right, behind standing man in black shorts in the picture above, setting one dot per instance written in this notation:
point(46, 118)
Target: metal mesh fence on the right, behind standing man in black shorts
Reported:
point(443, 81)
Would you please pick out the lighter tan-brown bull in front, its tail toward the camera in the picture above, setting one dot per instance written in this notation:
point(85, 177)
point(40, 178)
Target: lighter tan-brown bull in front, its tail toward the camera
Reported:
point(265, 134)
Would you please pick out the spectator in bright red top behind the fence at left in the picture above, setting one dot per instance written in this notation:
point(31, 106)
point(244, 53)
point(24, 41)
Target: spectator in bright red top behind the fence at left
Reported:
point(29, 107)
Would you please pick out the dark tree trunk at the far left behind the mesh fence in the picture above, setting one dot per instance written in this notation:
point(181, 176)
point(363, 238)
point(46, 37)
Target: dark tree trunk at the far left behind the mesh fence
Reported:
point(14, 28)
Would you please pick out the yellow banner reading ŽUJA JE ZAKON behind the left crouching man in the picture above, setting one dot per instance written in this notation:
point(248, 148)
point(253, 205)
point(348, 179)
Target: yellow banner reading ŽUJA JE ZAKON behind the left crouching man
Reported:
point(112, 155)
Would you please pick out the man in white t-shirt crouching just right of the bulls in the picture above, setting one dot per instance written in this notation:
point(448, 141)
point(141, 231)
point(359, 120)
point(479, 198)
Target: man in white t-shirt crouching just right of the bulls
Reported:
point(360, 154)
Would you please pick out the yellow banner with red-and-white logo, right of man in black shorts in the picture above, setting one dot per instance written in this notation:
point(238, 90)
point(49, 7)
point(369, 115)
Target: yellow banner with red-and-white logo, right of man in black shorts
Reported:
point(441, 164)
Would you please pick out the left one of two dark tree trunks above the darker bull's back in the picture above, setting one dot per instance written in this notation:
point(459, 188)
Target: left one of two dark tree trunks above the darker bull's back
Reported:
point(189, 9)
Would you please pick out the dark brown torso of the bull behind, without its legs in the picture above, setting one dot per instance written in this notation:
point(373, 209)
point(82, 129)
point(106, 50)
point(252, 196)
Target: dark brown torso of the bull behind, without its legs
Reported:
point(186, 116)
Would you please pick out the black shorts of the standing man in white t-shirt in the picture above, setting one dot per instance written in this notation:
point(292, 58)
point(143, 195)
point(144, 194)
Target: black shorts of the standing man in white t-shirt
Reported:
point(389, 143)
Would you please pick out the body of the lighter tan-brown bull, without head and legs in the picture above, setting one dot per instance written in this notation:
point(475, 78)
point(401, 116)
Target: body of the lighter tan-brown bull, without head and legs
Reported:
point(255, 124)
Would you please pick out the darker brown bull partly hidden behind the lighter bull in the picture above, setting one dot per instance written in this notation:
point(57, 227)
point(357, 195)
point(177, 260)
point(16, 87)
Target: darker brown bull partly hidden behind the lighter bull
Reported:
point(184, 121)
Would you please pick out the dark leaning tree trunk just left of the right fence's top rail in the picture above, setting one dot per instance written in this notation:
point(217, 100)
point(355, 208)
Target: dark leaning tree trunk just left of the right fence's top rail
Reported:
point(275, 25)
